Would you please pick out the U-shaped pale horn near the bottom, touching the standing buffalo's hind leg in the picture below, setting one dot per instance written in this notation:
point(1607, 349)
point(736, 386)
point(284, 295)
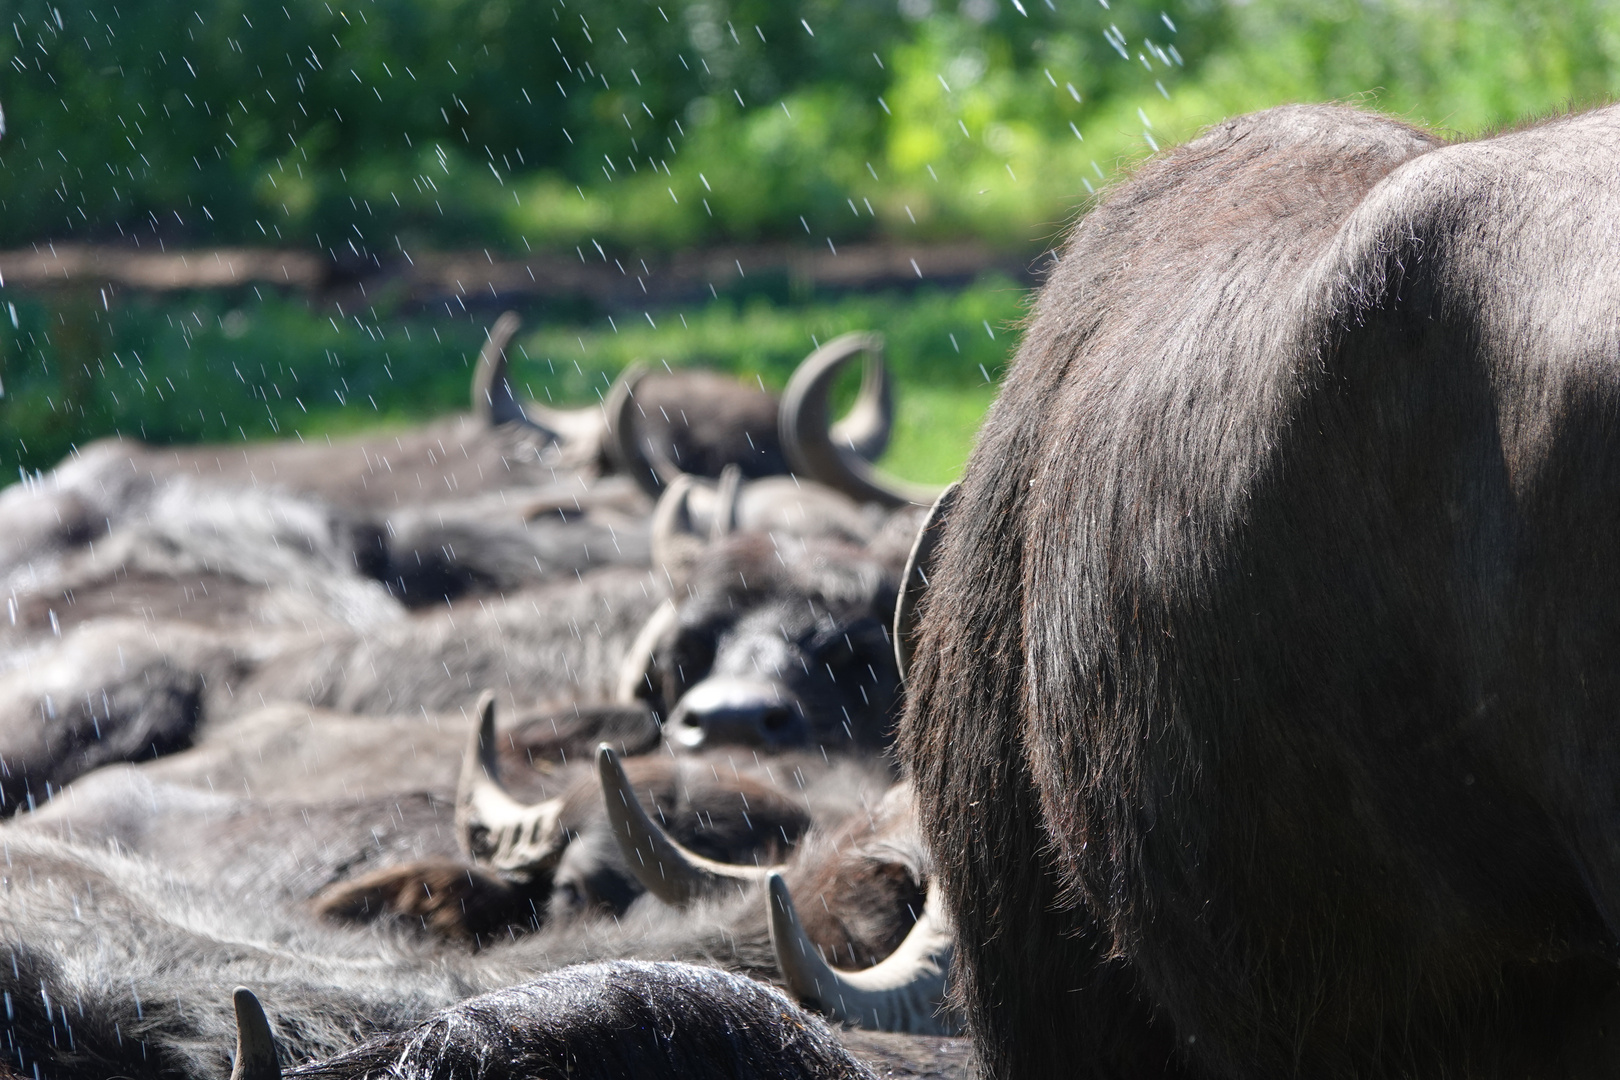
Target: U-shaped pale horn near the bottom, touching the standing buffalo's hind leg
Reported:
point(902, 993)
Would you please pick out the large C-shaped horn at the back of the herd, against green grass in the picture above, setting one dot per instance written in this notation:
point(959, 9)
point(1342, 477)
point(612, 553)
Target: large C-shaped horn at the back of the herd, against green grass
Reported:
point(809, 441)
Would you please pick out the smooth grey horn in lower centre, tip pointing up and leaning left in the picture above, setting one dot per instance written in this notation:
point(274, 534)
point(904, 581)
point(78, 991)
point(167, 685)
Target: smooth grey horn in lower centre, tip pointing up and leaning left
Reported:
point(663, 867)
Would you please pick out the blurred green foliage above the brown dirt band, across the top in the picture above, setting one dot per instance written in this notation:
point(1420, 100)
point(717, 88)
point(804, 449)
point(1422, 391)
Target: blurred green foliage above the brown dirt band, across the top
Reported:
point(655, 125)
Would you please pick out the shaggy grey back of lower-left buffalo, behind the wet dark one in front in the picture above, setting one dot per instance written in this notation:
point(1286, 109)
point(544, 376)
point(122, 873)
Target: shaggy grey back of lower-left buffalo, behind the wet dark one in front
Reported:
point(119, 969)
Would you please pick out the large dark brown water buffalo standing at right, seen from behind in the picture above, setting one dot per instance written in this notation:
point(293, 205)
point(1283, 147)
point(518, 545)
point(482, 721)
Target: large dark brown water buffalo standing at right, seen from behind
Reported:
point(1264, 702)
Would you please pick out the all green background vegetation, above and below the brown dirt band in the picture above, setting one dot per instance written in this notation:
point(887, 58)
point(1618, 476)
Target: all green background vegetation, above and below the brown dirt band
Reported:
point(728, 121)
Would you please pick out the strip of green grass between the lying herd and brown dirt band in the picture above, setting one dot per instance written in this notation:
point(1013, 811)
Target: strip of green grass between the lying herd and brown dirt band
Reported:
point(237, 367)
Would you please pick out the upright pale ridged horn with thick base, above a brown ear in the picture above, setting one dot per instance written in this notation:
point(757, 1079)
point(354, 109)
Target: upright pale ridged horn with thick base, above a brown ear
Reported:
point(493, 828)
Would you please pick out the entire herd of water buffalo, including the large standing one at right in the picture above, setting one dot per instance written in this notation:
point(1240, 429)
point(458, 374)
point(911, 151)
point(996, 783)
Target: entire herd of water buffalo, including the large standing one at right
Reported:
point(1248, 710)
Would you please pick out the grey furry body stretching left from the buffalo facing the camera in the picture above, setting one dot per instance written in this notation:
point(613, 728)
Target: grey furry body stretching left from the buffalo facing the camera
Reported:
point(126, 691)
